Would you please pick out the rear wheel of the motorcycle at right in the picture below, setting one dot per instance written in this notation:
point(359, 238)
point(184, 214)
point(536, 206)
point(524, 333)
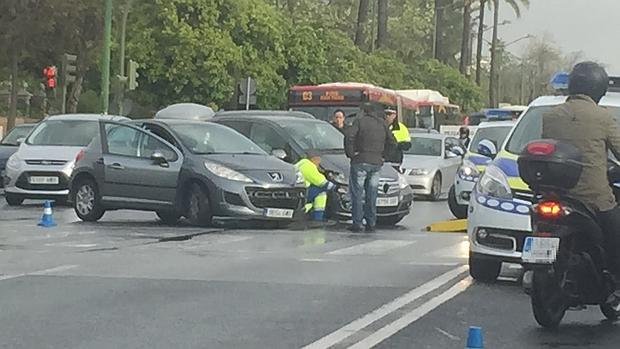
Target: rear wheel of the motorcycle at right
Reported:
point(548, 304)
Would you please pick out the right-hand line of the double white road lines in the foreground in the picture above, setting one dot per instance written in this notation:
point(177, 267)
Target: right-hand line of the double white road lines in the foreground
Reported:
point(392, 328)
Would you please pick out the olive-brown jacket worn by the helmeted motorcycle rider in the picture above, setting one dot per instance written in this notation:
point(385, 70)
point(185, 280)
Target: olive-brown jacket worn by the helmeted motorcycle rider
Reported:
point(592, 129)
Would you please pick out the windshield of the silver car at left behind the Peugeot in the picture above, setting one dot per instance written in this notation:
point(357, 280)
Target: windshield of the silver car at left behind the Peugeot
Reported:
point(70, 133)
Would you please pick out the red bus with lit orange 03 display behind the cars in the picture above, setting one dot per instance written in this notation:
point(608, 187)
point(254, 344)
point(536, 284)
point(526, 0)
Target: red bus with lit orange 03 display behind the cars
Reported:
point(324, 99)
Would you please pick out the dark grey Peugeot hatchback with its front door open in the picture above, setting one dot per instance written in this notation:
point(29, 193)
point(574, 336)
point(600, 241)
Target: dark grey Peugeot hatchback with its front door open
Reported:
point(195, 169)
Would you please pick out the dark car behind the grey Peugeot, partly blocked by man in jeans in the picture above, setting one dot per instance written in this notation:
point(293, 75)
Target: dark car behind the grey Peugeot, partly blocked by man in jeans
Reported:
point(289, 137)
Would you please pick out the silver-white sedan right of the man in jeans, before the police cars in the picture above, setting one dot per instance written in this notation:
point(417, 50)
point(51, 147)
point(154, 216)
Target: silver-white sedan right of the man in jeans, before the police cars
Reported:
point(431, 163)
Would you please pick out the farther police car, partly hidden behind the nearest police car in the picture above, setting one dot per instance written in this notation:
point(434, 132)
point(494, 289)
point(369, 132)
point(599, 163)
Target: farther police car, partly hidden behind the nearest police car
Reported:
point(478, 155)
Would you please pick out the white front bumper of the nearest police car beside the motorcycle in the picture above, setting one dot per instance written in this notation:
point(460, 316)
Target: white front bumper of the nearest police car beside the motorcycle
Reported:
point(498, 228)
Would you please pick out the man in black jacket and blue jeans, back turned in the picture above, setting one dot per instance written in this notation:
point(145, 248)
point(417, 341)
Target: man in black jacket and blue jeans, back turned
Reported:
point(365, 142)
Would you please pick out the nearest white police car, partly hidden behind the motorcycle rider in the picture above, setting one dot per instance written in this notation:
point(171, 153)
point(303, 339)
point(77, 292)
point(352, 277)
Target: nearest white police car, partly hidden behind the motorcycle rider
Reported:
point(499, 208)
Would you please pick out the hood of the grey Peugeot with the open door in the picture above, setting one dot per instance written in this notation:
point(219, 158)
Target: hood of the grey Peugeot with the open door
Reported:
point(263, 169)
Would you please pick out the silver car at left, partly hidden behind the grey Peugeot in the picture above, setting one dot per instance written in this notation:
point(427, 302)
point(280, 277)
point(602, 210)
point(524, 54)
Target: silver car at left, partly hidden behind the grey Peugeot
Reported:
point(42, 166)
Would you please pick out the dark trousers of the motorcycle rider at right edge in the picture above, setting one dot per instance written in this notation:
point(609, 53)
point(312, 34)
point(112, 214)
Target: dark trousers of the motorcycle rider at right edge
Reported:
point(610, 224)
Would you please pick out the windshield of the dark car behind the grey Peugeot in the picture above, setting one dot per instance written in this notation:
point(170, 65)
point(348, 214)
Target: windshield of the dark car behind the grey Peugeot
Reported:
point(314, 135)
